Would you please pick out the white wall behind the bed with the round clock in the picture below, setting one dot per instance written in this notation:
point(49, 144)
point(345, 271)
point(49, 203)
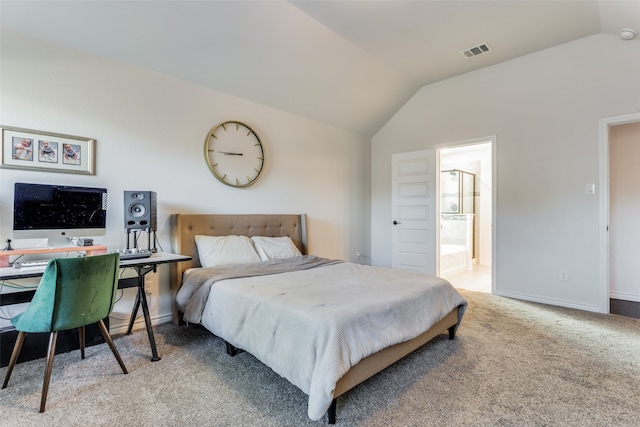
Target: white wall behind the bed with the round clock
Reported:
point(150, 132)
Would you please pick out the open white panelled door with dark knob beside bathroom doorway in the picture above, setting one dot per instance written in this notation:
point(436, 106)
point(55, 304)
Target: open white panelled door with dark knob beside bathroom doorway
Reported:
point(414, 218)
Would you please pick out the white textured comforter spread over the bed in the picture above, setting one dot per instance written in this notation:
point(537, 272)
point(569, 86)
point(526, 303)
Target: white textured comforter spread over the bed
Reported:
point(311, 326)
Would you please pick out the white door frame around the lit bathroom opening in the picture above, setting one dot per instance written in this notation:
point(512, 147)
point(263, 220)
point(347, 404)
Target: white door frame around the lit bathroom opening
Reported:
point(493, 140)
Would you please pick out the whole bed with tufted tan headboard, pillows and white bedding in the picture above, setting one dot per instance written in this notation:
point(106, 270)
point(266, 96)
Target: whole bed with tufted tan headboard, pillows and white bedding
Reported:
point(267, 308)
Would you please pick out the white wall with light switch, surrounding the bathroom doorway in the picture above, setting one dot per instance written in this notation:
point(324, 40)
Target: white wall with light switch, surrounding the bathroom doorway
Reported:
point(544, 109)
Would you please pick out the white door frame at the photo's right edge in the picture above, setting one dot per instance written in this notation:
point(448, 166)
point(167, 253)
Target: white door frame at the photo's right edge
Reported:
point(605, 291)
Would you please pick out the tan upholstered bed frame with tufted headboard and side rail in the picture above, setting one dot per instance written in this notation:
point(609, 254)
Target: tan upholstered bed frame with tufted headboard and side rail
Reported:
point(184, 228)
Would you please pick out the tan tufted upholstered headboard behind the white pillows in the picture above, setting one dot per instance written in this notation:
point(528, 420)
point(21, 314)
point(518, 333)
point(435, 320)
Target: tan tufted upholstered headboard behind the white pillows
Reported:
point(184, 228)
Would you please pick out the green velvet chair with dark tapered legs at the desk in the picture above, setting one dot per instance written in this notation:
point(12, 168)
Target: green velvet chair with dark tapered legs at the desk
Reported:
point(73, 293)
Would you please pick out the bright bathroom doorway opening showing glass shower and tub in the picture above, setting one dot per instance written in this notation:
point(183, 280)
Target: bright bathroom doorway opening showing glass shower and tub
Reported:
point(465, 188)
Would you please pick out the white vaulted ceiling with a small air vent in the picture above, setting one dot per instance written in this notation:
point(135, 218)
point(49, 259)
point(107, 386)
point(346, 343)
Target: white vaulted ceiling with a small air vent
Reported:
point(351, 64)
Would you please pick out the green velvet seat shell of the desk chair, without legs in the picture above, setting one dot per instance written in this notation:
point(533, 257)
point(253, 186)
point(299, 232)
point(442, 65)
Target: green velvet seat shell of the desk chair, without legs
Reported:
point(73, 292)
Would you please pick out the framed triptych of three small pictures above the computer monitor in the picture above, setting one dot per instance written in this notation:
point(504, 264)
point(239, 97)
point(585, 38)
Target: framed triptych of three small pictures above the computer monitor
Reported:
point(47, 151)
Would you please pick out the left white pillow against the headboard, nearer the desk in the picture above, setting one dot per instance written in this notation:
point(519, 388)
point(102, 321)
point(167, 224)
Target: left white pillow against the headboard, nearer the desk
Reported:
point(225, 250)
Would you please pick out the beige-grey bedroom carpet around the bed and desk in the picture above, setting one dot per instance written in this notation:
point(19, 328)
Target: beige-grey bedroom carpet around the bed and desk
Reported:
point(512, 364)
